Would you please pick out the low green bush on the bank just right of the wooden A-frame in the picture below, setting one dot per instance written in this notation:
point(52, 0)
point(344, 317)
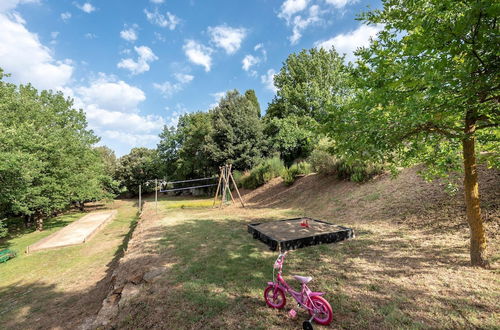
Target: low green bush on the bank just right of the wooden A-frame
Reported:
point(262, 173)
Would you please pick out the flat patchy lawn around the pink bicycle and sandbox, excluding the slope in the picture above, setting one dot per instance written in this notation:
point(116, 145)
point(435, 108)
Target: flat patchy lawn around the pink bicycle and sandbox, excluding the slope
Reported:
point(385, 278)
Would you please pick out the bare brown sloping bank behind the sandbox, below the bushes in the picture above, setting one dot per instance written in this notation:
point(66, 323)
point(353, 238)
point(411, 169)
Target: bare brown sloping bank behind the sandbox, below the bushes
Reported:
point(406, 200)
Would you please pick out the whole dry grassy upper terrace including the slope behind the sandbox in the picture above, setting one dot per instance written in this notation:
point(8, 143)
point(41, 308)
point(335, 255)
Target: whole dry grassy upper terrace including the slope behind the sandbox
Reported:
point(407, 268)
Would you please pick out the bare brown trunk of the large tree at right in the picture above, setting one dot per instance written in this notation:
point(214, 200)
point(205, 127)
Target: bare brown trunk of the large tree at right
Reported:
point(471, 189)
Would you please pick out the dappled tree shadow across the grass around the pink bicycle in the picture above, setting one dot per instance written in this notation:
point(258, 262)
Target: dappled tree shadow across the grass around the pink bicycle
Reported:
point(217, 273)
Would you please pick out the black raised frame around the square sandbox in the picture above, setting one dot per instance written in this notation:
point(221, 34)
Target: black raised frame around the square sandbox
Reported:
point(338, 233)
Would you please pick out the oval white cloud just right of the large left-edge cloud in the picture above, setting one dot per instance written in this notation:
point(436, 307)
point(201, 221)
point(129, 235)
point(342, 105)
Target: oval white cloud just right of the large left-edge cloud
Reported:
point(114, 95)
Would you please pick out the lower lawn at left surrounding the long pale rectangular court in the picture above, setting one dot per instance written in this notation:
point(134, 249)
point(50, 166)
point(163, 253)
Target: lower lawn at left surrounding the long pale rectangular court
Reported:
point(34, 286)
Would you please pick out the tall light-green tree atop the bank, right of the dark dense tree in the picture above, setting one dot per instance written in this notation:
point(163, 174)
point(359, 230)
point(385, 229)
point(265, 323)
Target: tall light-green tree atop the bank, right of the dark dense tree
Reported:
point(309, 83)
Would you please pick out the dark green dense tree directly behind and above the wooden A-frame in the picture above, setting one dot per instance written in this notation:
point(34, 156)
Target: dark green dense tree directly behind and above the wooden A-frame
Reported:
point(237, 136)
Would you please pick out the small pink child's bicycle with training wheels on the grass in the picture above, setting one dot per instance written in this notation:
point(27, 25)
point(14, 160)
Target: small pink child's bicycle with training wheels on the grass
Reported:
point(317, 306)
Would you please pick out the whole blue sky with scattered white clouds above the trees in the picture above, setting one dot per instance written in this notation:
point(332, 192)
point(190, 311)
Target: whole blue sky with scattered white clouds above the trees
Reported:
point(135, 66)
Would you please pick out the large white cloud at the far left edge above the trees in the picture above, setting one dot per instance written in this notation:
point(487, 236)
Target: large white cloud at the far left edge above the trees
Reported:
point(23, 55)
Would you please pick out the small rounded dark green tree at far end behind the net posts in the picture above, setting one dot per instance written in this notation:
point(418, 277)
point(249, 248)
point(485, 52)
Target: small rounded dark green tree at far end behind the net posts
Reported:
point(137, 168)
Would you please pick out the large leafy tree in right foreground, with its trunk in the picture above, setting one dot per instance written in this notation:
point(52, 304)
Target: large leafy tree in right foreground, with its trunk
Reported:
point(428, 87)
